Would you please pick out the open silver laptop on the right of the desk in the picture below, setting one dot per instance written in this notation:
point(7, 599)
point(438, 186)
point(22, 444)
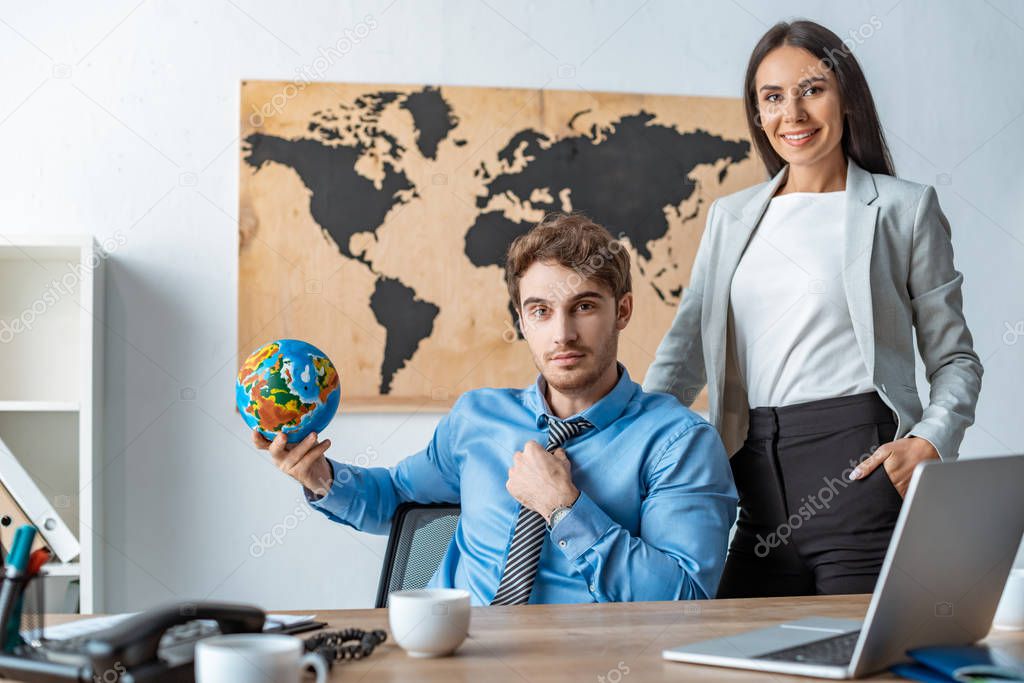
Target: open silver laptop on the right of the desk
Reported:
point(951, 553)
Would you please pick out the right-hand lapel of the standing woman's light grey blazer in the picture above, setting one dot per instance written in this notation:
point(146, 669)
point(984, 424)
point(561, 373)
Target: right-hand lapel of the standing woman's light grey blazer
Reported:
point(862, 219)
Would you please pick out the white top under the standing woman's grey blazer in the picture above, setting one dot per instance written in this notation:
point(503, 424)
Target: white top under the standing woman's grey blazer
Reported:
point(795, 339)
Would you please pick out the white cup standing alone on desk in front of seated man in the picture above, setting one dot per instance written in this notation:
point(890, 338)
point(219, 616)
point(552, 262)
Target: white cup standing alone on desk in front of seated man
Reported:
point(430, 622)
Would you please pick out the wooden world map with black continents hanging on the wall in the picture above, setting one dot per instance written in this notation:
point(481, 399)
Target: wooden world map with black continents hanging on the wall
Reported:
point(374, 220)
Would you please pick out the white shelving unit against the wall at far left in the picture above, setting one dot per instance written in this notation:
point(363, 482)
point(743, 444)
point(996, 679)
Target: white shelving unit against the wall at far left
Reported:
point(52, 308)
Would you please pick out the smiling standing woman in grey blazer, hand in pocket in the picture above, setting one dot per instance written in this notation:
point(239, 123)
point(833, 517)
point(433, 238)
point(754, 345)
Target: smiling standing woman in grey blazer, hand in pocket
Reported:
point(803, 305)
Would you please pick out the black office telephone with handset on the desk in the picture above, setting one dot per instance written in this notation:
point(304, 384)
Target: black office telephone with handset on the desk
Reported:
point(157, 646)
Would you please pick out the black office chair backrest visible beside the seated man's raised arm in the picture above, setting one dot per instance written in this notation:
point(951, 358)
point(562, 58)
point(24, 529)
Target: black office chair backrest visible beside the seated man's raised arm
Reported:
point(420, 536)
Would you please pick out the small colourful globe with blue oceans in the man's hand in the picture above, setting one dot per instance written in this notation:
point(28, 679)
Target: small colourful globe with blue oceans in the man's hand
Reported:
point(288, 387)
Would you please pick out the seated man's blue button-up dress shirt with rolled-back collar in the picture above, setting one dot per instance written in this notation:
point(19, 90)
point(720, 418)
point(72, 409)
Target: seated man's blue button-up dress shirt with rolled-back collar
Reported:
point(652, 523)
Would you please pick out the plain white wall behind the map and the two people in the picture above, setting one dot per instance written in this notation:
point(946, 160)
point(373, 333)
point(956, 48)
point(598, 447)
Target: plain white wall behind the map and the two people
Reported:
point(124, 118)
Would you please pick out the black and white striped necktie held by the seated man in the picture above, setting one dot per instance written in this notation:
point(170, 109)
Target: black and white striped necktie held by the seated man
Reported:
point(525, 552)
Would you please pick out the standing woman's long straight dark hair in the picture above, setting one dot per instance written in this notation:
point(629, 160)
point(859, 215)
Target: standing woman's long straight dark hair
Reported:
point(864, 141)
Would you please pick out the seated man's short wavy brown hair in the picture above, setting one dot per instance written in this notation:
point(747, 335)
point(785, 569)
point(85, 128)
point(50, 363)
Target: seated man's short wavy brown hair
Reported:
point(575, 242)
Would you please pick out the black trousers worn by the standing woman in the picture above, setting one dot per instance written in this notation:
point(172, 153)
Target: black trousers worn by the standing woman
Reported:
point(804, 528)
